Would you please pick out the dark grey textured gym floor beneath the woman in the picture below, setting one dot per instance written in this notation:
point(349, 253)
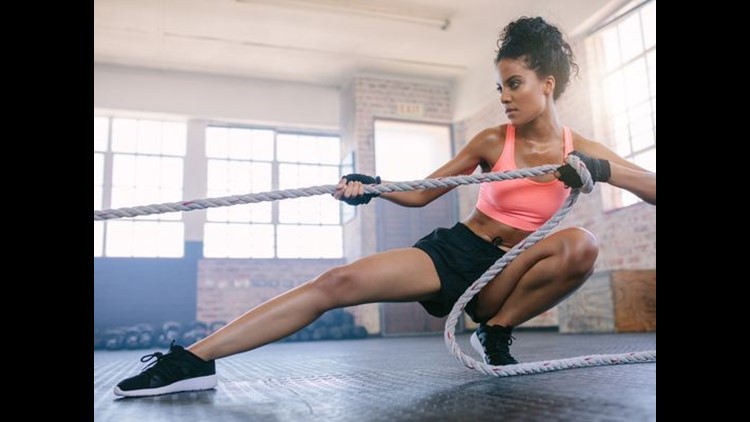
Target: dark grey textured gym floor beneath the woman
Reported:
point(396, 379)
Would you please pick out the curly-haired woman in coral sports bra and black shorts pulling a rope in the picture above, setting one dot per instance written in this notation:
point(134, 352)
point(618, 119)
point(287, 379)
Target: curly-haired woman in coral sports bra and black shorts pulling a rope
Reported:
point(534, 63)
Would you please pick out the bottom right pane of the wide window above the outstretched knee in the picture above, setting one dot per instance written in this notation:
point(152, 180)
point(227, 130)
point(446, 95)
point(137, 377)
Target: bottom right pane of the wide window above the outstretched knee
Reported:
point(310, 241)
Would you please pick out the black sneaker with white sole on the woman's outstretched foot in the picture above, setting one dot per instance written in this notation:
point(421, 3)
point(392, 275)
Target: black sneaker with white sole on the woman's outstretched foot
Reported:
point(178, 370)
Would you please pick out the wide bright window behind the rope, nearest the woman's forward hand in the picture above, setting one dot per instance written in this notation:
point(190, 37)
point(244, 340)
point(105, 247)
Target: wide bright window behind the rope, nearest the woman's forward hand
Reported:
point(248, 160)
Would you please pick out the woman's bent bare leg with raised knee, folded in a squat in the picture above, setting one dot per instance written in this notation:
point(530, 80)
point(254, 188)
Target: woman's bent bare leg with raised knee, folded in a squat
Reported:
point(539, 278)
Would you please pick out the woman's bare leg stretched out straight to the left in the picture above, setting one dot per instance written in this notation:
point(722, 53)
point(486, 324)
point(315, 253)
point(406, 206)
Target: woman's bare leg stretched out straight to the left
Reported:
point(397, 275)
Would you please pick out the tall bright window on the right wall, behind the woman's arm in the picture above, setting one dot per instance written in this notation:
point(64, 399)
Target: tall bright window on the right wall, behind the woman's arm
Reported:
point(626, 49)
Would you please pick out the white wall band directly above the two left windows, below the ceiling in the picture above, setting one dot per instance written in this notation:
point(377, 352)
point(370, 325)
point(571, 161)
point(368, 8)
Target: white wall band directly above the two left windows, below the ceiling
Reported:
point(216, 97)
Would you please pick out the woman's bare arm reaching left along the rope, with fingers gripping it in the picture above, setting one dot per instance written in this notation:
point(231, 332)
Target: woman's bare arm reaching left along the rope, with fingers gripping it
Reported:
point(465, 162)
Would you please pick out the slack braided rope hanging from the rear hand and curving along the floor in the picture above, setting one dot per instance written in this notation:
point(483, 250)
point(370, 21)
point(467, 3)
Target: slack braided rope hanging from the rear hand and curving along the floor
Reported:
point(541, 366)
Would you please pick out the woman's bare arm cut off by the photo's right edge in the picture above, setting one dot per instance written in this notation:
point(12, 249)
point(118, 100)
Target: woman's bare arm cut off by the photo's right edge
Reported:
point(625, 175)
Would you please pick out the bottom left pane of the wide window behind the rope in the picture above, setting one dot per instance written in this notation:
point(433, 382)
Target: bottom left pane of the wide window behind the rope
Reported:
point(238, 241)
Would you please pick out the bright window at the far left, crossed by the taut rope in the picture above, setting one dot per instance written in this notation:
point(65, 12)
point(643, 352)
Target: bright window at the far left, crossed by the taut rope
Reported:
point(138, 162)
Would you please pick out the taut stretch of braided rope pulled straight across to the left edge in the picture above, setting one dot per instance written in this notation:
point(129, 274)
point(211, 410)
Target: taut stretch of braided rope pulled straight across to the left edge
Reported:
point(226, 201)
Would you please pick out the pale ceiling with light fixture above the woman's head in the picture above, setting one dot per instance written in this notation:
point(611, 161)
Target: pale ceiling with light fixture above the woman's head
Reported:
point(320, 42)
